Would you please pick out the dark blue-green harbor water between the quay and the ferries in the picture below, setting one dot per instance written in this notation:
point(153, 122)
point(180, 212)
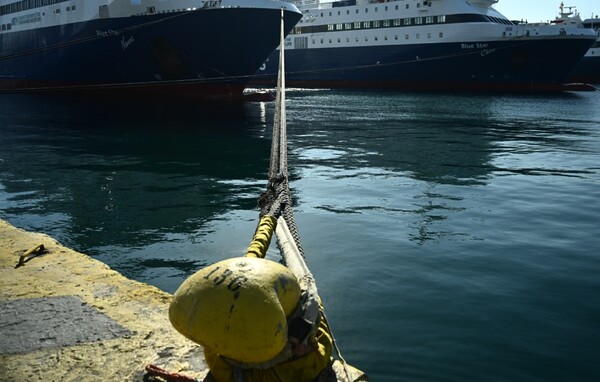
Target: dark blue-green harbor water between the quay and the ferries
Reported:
point(453, 237)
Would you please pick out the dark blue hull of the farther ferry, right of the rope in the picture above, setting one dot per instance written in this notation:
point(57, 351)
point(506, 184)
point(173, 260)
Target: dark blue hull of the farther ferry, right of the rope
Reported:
point(525, 65)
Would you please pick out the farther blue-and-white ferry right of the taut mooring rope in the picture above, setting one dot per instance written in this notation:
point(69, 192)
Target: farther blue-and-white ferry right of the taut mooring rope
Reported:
point(425, 45)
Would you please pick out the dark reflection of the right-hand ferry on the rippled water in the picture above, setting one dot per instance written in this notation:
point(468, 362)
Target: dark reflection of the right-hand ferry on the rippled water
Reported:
point(446, 139)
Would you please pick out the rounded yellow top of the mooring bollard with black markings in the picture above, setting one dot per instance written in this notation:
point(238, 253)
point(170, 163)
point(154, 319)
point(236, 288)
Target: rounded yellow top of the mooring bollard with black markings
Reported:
point(238, 307)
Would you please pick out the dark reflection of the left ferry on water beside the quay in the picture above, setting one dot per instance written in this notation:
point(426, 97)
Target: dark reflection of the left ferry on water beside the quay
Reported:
point(115, 181)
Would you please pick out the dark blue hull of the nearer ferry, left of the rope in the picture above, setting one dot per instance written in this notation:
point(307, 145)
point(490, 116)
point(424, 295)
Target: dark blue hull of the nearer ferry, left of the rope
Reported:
point(210, 52)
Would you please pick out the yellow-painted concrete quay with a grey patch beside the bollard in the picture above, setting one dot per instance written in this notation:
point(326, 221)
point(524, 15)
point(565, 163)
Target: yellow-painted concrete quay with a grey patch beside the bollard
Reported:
point(67, 317)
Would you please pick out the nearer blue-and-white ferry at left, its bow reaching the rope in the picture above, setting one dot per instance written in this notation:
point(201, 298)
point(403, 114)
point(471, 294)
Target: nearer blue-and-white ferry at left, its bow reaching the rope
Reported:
point(206, 49)
